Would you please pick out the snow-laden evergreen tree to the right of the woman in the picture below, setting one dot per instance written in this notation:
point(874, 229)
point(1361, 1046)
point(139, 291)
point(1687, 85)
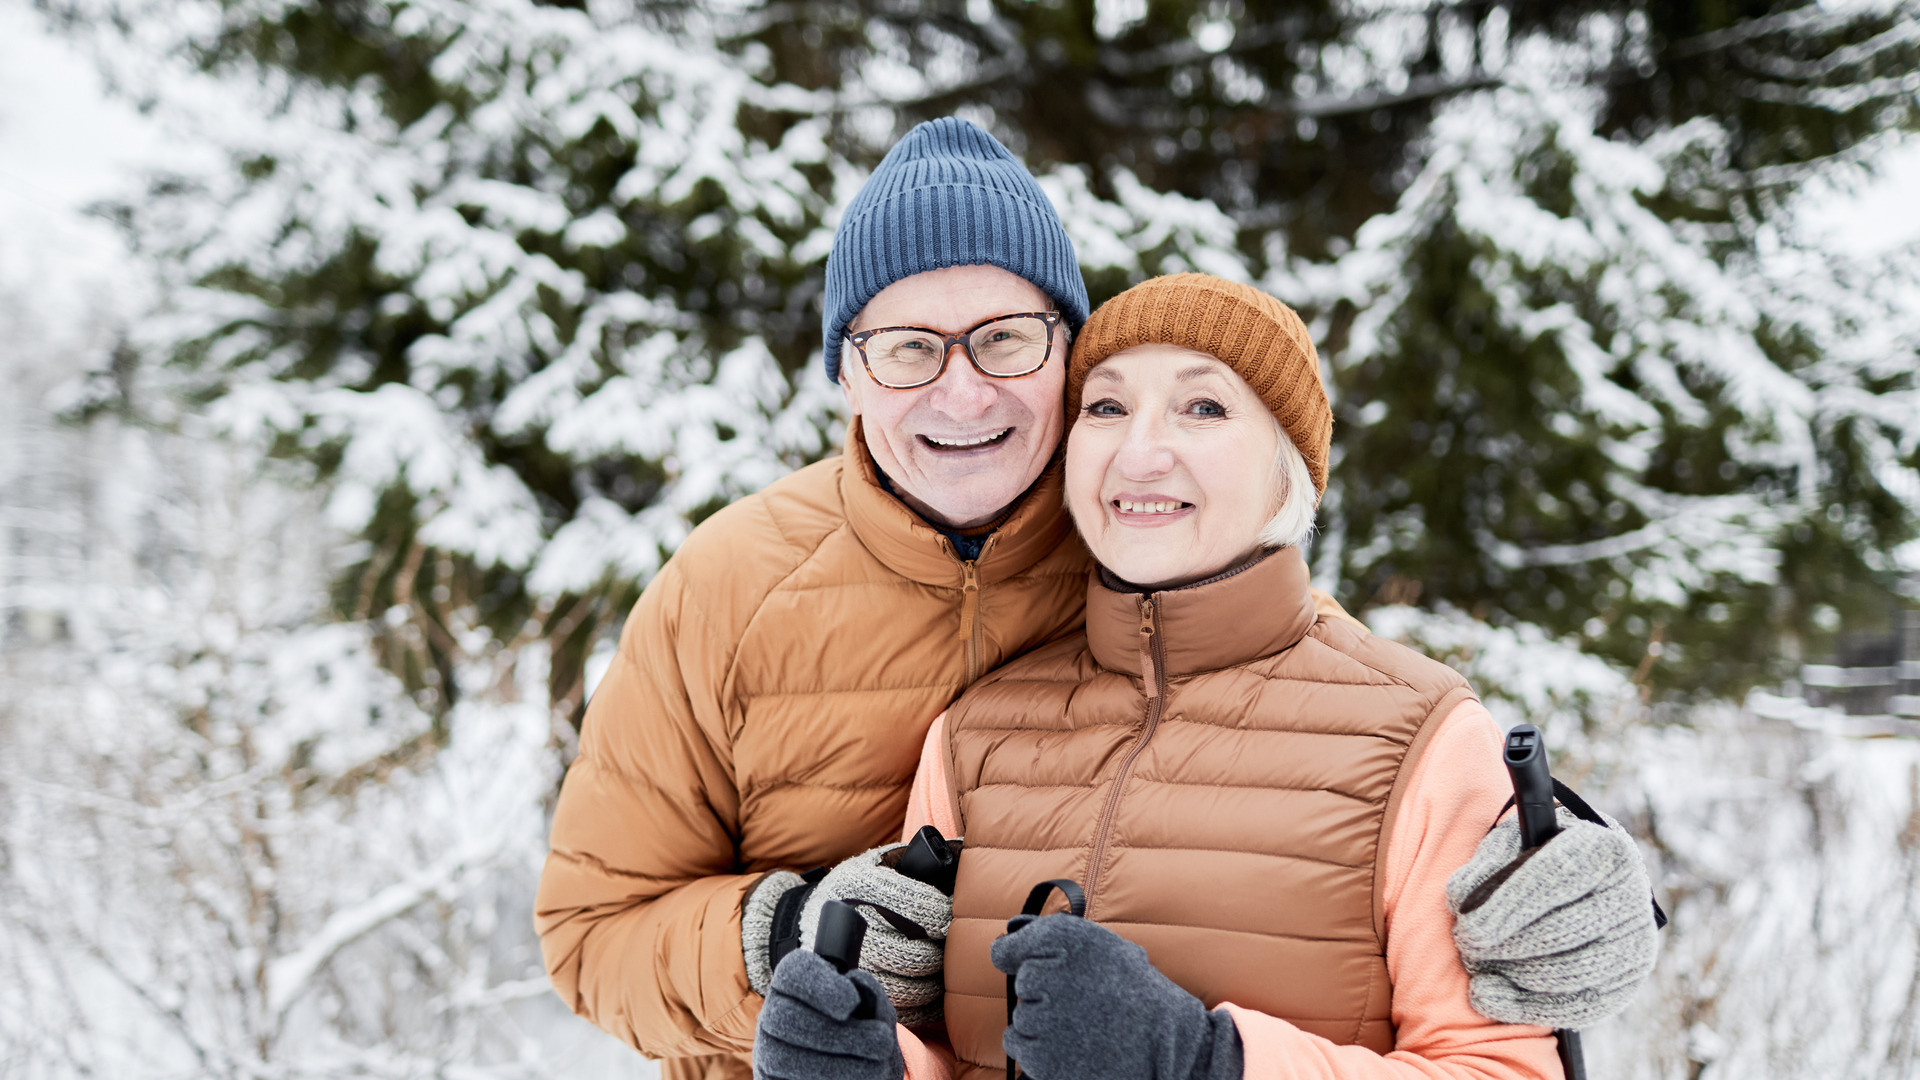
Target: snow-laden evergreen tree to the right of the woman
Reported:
point(1581, 387)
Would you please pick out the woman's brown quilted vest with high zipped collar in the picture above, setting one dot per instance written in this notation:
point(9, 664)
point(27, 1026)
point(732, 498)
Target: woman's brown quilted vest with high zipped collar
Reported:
point(1218, 768)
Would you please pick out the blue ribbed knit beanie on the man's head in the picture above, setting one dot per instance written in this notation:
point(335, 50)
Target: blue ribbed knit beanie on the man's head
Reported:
point(948, 197)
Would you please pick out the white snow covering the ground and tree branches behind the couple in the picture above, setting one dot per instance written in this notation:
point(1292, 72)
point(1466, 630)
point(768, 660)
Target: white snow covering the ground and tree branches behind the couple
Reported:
point(233, 843)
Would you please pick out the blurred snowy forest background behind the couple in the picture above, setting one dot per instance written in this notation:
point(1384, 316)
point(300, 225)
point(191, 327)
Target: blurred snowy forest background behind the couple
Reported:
point(360, 362)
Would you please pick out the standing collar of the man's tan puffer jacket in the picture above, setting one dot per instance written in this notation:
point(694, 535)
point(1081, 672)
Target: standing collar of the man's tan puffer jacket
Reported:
point(913, 549)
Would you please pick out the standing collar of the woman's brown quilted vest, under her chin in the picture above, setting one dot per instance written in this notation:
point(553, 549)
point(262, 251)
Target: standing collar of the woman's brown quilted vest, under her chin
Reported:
point(1222, 622)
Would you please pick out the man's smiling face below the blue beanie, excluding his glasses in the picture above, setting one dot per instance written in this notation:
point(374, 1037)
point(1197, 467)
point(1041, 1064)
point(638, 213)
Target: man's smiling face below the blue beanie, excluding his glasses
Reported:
point(965, 447)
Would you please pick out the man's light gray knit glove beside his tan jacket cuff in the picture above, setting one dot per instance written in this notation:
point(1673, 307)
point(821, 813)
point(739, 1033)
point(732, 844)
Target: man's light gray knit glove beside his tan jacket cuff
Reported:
point(905, 966)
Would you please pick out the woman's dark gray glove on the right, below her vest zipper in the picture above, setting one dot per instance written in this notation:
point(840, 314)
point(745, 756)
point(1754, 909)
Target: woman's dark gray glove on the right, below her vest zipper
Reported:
point(1093, 1006)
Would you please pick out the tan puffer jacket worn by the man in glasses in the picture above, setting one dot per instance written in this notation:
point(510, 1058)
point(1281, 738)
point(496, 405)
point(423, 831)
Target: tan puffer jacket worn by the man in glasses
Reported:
point(765, 712)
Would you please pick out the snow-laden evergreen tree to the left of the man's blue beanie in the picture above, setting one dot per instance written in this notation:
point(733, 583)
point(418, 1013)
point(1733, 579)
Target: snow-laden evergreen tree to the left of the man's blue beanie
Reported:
point(525, 285)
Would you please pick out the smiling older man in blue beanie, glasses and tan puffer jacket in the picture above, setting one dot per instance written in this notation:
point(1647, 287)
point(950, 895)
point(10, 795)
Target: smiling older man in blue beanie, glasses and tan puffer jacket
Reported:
point(775, 683)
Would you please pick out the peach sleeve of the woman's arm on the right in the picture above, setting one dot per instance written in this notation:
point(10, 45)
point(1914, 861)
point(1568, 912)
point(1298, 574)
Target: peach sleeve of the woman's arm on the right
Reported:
point(1452, 798)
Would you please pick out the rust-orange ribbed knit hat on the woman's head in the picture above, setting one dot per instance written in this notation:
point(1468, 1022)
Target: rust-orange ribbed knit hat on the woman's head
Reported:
point(1253, 333)
